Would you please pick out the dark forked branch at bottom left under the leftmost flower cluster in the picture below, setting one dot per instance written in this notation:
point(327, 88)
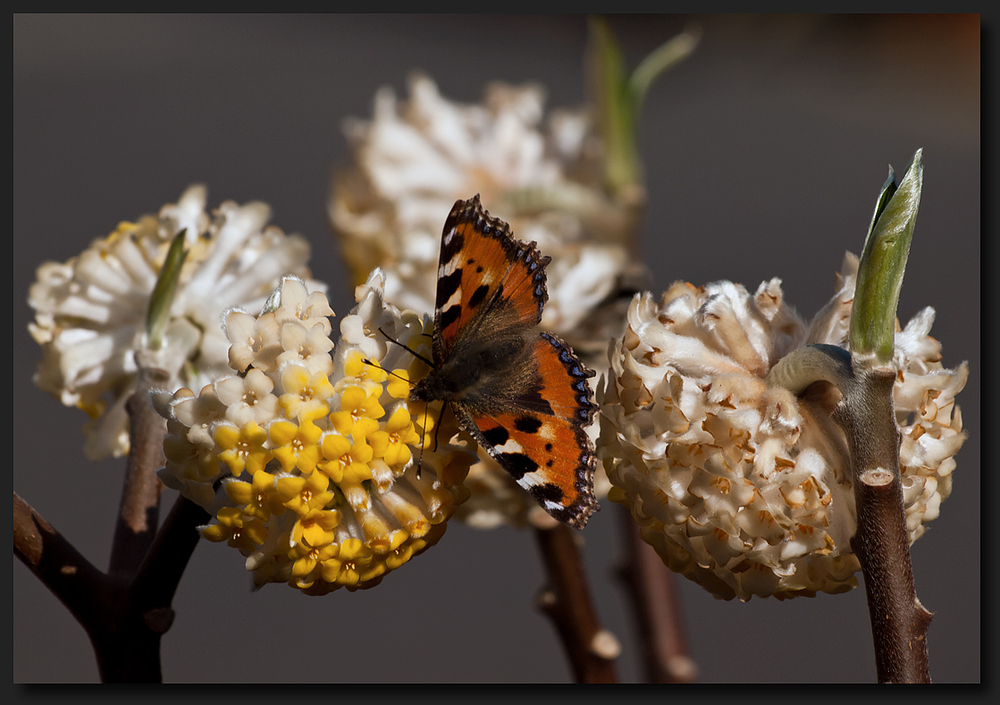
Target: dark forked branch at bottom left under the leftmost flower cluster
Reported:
point(126, 611)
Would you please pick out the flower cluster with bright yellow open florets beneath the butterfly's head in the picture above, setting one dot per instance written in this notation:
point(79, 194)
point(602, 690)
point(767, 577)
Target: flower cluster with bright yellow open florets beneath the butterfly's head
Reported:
point(305, 459)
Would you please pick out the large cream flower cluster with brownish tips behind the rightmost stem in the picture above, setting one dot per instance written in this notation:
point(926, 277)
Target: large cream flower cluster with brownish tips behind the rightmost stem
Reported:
point(742, 486)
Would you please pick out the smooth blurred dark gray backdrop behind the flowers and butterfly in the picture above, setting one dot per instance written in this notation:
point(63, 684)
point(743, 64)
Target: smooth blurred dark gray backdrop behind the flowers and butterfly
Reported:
point(764, 153)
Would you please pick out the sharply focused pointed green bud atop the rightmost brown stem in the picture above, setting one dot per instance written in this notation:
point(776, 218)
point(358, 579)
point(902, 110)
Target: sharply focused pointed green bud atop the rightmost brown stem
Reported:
point(883, 261)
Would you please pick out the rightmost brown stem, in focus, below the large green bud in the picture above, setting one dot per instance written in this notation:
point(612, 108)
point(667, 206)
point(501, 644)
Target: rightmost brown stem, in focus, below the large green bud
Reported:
point(899, 621)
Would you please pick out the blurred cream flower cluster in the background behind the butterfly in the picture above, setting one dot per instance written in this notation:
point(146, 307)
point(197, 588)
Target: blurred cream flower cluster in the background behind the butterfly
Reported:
point(415, 158)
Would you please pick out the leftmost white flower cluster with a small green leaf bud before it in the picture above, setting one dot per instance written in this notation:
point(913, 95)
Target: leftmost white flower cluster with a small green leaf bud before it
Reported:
point(90, 311)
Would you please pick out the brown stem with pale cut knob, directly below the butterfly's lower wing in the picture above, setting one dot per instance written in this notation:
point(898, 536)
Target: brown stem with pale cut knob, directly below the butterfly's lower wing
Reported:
point(566, 600)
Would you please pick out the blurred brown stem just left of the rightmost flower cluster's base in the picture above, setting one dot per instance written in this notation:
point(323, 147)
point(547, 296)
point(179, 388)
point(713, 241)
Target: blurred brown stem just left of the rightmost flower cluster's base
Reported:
point(656, 608)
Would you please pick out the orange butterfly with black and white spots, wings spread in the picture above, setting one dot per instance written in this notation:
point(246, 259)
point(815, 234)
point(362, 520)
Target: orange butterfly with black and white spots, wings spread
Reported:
point(521, 393)
